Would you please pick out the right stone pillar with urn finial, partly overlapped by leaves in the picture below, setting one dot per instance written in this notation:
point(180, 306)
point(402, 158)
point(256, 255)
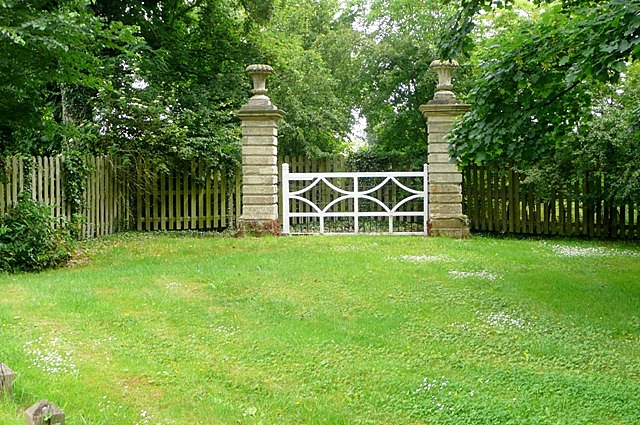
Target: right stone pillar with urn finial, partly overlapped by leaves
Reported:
point(445, 179)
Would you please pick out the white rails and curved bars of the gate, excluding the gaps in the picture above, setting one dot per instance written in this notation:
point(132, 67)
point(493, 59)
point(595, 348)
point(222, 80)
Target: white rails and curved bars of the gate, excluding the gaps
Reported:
point(355, 195)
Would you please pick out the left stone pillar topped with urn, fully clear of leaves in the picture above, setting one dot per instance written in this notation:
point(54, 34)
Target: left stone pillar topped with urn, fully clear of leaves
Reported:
point(259, 158)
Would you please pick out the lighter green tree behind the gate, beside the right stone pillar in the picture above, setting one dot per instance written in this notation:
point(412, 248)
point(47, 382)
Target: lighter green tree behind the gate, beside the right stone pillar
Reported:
point(401, 42)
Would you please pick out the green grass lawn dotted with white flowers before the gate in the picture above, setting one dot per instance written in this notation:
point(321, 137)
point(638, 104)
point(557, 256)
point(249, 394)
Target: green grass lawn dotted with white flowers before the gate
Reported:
point(175, 329)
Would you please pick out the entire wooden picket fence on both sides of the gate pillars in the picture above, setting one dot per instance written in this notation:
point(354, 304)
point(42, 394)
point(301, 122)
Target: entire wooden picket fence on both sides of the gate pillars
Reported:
point(192, 198)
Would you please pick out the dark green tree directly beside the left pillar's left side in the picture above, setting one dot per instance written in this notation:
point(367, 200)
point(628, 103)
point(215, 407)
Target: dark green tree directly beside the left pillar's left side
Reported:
point(177, 100)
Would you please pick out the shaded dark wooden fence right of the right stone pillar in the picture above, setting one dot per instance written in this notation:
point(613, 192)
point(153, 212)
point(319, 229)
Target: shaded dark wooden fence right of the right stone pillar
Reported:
point(498, 201)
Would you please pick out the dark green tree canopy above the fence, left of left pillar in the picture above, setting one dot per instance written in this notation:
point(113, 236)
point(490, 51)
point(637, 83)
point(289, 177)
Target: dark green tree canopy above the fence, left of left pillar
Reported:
point(160, 78)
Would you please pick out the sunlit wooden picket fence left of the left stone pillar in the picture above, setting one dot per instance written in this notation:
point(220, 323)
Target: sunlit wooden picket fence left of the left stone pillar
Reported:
point(185, 199)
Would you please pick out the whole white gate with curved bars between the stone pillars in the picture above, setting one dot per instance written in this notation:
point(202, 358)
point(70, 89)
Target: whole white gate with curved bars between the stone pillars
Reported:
point(350, 202)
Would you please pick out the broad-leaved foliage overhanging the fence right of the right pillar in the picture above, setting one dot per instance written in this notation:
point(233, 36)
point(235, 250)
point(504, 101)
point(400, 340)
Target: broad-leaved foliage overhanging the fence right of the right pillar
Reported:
point(553, 93)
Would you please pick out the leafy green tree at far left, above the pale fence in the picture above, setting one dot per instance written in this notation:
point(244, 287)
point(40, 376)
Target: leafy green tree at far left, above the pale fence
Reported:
point(50, 52)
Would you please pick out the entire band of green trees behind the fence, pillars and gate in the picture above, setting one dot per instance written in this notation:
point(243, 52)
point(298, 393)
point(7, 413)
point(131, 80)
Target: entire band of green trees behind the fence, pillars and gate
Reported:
point(162, 79)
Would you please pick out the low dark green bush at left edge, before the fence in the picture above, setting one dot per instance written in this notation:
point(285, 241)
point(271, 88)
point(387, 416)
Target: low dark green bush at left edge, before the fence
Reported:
point(28, 239)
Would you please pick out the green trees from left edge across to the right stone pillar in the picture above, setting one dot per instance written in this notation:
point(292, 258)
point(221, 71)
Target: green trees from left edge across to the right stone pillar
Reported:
point(162, 79)
